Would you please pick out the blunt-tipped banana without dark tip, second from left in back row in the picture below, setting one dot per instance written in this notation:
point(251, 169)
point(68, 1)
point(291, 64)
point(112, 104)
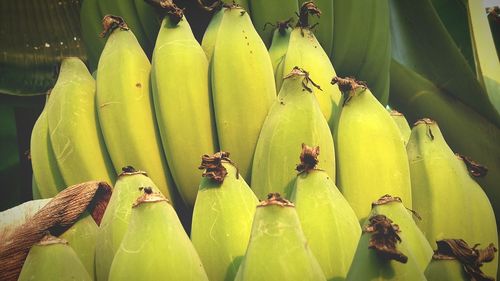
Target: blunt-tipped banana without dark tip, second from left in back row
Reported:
point(73, 128)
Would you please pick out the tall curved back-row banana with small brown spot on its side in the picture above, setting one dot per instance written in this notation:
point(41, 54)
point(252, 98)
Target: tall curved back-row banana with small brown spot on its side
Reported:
point(125, 107)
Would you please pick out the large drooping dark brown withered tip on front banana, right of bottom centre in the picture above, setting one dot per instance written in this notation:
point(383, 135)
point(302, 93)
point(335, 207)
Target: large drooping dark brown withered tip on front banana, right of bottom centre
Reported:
point(384, 237)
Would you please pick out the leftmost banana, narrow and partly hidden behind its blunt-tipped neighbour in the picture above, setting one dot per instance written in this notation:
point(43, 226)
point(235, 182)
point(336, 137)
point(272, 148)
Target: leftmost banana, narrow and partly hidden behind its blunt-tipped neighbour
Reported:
point(43, 161)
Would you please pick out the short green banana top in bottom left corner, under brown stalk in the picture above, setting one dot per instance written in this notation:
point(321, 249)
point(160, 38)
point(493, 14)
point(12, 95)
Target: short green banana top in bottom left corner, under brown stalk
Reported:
point(53, 259)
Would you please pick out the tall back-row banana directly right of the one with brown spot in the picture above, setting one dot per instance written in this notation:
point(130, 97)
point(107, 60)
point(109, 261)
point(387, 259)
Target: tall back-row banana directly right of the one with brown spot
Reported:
point(183, 106)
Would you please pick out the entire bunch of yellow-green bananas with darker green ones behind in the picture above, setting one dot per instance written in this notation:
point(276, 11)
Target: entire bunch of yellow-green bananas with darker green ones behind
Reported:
point(347, 190)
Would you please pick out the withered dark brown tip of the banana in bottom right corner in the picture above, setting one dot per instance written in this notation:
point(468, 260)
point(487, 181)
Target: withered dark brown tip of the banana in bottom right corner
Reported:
point(471, 258)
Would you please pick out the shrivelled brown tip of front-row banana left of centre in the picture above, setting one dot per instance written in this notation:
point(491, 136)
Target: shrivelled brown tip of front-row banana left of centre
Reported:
point(212, 164)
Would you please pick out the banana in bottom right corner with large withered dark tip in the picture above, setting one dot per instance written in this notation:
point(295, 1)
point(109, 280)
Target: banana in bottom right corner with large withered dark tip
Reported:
point(457, 261)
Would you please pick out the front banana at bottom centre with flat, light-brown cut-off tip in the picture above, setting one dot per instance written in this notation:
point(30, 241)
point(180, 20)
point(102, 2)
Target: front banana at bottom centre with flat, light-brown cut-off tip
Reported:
point(278, 249)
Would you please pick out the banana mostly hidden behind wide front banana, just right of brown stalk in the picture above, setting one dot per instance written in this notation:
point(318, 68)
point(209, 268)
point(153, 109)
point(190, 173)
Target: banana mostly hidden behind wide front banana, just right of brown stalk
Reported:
point(116, 218)
